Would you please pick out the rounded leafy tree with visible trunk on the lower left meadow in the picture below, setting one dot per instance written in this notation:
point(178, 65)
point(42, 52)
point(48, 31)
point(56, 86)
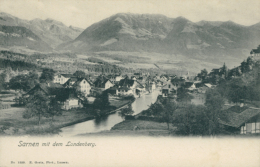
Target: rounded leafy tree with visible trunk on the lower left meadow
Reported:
point(37, 106)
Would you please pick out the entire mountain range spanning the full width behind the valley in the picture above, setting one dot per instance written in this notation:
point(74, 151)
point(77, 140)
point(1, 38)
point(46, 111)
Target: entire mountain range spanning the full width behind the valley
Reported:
point(209, 41)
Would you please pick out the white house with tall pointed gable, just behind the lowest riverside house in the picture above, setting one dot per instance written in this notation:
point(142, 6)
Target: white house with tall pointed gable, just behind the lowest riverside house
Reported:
point(79, 84)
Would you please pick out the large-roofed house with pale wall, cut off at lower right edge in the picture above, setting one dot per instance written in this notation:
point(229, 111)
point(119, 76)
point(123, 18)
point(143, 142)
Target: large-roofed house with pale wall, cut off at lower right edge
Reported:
point(242, 120)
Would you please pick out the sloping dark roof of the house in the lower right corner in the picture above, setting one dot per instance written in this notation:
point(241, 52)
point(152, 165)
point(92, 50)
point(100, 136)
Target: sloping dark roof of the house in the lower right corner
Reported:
point(236, 119)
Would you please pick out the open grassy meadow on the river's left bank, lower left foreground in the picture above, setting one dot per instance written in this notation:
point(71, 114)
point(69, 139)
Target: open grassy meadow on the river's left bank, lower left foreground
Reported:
point(13, 120)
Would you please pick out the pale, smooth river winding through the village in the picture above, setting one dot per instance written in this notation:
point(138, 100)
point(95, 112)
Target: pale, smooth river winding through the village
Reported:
point(107, 122)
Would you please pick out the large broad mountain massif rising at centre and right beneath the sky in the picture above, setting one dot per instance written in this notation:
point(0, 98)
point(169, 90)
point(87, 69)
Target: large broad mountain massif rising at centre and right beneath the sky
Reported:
point(158, 33)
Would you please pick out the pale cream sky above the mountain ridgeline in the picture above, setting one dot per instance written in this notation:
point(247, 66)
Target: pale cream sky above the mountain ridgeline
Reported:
point(83, 13)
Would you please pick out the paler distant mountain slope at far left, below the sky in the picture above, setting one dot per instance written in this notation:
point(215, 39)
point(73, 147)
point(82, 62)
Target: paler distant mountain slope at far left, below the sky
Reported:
point(50, 31)
